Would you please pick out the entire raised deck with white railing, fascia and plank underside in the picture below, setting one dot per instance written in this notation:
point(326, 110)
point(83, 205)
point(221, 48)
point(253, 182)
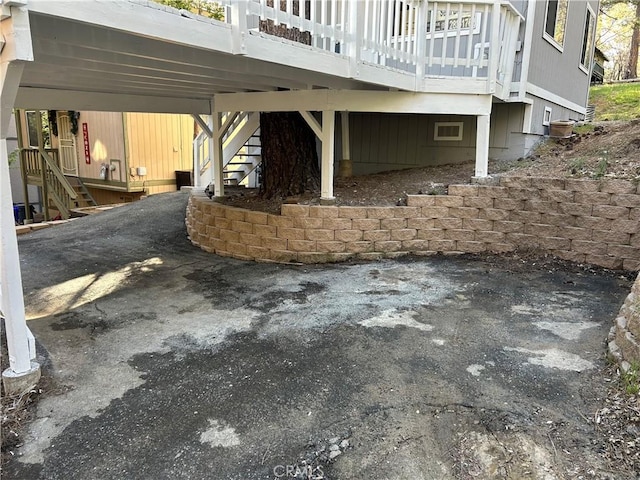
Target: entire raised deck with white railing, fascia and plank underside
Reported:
point(139, 55)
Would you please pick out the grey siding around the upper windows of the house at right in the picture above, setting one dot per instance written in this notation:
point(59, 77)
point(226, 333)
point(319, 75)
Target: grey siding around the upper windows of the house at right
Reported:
point(567, 79)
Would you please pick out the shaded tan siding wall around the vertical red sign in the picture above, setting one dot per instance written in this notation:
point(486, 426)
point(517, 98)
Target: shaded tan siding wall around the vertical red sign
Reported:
point(105, 139)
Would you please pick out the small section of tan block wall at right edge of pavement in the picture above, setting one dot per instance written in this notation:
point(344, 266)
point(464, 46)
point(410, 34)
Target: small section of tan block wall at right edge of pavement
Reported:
point(625, 333)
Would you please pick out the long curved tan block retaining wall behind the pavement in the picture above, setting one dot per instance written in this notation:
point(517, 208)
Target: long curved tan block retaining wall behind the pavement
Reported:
point(586, 221)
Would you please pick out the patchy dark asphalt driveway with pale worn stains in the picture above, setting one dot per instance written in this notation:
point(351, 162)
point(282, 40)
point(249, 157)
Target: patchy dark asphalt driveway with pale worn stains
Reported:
point(175, 363)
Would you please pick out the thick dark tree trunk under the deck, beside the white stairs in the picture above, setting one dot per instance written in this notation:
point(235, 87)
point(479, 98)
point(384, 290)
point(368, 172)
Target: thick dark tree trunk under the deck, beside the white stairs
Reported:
point(289, 156)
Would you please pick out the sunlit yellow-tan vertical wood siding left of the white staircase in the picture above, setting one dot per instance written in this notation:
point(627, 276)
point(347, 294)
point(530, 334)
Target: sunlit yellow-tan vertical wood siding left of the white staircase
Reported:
point(162, 144)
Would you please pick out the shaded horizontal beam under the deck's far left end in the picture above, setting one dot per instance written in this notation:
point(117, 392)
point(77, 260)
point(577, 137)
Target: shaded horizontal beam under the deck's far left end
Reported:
point(49, 99)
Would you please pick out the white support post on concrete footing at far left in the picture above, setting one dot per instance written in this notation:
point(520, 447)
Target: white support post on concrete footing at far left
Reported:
point(22, 373)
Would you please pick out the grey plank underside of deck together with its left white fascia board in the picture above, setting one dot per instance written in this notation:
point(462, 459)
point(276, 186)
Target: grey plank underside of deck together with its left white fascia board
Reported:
point(128, 56)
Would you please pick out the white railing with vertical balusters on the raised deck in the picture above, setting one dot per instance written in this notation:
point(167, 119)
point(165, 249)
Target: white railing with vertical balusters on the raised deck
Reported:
point(428, 39)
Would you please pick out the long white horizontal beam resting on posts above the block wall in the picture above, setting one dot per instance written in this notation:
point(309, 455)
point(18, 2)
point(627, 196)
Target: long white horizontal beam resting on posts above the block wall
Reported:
point(355, 101)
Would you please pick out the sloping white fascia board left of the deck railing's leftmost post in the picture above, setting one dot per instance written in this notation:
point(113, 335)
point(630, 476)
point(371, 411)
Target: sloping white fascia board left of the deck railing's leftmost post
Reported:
point(144, 20)
